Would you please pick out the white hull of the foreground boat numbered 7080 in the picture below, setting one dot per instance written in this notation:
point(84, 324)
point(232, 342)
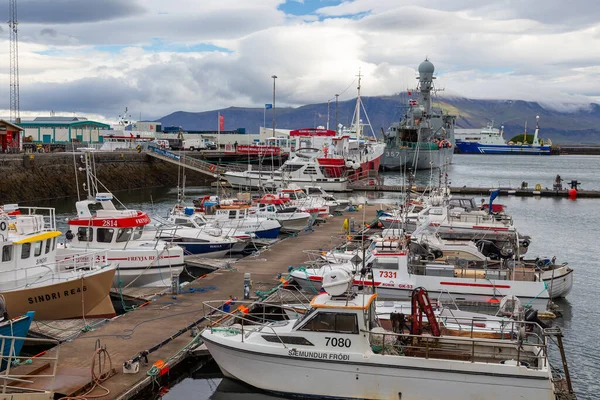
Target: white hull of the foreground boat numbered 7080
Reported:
point(360, 377)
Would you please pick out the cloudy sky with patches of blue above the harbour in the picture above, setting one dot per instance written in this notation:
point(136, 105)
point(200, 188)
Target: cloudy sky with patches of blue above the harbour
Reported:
point(94, 58)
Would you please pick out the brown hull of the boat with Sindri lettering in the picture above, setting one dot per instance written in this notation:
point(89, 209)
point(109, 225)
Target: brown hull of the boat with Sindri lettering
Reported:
point(64, 299)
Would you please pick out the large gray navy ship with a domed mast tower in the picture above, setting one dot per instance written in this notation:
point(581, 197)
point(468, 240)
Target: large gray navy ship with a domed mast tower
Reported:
point(424, 137)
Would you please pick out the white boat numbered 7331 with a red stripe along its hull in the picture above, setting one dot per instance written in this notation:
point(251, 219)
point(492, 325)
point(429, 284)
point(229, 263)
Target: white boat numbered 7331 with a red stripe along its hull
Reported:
point(395, 278)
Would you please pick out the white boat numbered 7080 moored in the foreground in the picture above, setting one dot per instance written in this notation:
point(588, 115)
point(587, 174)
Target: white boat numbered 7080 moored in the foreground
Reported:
point(338, 350)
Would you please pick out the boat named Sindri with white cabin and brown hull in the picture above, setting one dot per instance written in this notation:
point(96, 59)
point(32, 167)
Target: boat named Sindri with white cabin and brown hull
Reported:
point(31, 278)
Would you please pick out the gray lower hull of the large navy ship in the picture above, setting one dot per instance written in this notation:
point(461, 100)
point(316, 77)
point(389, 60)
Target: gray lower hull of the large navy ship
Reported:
point(396, 158)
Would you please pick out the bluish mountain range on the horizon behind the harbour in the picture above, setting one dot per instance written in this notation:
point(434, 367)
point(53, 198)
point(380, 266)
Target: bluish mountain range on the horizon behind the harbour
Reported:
point(572, 127)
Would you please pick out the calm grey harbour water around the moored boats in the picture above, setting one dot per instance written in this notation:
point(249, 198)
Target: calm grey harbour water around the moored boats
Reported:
point(569, 230)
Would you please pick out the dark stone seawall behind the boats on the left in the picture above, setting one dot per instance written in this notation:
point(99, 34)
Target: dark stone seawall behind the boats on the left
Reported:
point(29, 177)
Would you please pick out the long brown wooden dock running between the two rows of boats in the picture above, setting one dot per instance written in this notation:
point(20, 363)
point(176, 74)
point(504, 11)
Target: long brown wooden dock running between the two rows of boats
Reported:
point(170, 316)
